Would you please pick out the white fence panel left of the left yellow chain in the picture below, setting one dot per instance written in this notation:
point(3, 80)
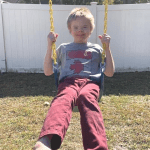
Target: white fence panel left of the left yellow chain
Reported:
point(25, 29)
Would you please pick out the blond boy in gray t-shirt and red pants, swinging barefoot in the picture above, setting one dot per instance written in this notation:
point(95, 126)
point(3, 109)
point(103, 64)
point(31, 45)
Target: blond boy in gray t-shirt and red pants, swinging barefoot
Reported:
point(77, 61)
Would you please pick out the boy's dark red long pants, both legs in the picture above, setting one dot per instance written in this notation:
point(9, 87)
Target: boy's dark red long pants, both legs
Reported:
point(83, 93)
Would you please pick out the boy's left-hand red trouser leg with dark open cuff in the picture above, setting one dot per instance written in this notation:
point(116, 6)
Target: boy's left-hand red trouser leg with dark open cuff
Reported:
point(59, 115)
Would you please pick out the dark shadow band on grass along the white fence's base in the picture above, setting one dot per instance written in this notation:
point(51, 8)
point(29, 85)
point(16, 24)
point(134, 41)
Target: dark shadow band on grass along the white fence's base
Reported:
point(27, 84)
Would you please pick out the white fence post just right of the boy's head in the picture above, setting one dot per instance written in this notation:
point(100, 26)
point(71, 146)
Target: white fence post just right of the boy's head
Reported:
point(94, 12)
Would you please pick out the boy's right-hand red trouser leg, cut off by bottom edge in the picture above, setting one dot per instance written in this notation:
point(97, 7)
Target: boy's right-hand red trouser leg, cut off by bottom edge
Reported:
point(93, 131)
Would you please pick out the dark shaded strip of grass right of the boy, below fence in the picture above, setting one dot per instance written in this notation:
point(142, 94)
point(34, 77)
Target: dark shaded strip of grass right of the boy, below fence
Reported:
point(131, 83)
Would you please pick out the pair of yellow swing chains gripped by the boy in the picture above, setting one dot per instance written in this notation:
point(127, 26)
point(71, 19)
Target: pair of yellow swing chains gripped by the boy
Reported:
point(52, 30)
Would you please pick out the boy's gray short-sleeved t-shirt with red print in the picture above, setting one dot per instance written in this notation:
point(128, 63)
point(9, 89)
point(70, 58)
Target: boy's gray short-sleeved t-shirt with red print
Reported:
point(78, 59)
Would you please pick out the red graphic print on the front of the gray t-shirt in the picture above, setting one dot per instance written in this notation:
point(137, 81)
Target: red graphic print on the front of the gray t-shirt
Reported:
point(78, 55)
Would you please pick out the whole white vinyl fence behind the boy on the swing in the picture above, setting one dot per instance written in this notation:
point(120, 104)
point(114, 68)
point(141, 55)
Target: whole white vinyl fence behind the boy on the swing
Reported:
point(24, 29)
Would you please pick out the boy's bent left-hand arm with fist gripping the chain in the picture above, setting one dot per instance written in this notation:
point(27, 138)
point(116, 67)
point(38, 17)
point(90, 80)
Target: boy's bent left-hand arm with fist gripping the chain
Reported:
point(48, 62)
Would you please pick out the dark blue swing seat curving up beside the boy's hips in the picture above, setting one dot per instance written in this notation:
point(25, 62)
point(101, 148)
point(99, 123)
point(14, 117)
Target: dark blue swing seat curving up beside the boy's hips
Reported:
point(99, 78)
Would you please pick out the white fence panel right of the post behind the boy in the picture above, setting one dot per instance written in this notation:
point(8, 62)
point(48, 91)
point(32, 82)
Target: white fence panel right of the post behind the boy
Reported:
point(129, 28)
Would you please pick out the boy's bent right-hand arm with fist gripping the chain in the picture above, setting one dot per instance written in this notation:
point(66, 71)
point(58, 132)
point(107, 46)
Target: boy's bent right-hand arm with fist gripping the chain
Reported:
point(110, 66)
